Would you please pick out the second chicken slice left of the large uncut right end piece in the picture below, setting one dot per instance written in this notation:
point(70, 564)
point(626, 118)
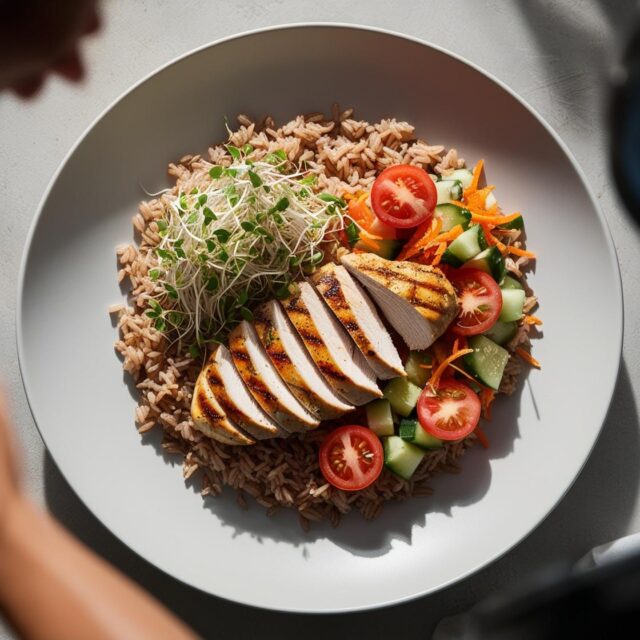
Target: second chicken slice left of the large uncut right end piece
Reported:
point(337, 357)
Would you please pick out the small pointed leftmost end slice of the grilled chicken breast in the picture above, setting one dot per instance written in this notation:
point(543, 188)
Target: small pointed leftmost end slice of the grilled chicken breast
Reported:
point(210, 418)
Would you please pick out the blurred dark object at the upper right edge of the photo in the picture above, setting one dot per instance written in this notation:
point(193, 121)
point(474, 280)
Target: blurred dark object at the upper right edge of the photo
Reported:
point(625, 127)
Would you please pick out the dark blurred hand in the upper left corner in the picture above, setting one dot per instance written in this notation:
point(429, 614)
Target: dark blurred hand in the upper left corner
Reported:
point(38, 37)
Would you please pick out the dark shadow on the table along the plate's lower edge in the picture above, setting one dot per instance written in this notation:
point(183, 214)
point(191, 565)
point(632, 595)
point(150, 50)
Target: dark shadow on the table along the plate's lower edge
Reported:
point(594, 511)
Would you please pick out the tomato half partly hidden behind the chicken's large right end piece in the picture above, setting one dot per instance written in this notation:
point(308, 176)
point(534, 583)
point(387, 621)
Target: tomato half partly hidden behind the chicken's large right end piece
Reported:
point(479, 301)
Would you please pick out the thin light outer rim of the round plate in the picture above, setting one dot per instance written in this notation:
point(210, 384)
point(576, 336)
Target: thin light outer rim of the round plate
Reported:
point(612, 255)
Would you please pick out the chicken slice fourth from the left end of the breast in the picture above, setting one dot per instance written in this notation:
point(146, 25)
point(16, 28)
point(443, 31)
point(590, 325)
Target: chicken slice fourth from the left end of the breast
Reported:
point(294, 364)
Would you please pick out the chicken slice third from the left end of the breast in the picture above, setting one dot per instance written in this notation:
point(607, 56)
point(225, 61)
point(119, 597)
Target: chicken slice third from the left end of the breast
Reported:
point(264, 381)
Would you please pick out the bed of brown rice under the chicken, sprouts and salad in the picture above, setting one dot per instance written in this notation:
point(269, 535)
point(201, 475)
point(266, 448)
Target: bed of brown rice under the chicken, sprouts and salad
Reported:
point(346, 155)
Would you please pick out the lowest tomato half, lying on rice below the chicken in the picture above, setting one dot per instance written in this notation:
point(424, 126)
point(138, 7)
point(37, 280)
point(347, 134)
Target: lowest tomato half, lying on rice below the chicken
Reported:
point(351, 457)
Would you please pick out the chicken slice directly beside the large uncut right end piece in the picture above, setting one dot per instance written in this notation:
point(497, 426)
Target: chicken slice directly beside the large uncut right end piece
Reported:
point(359, 317)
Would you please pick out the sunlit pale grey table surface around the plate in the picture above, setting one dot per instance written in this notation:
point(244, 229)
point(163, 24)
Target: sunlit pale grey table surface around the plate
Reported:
point(555, 55)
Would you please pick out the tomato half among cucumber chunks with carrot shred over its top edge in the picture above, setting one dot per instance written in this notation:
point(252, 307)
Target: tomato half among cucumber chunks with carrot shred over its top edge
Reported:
point(451, 412)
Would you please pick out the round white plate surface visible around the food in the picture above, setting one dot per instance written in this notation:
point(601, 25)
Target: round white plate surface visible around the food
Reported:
point(540, 438)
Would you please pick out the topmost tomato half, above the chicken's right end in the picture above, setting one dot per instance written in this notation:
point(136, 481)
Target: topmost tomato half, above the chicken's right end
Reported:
point(403, 196)
